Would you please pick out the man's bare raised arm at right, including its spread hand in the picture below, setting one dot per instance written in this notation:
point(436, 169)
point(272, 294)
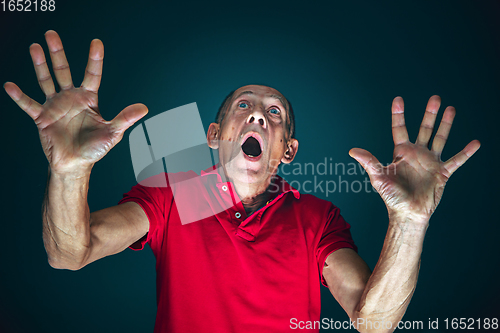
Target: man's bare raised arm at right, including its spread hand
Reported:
point(411, 187)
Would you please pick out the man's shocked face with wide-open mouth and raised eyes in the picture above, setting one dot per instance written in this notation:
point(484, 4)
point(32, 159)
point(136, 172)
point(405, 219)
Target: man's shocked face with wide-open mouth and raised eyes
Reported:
point(254, 134)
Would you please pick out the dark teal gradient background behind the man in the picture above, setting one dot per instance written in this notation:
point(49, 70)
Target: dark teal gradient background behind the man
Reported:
point(340, 63)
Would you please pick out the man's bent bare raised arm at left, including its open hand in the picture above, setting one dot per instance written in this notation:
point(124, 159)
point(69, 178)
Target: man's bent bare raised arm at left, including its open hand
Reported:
point(74, 137)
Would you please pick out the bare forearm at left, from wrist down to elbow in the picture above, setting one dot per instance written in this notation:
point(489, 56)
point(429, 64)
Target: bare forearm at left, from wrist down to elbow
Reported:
point(66, 219)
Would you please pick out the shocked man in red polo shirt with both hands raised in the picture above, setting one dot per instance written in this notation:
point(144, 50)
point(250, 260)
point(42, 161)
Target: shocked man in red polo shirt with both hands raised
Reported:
point(240, 270)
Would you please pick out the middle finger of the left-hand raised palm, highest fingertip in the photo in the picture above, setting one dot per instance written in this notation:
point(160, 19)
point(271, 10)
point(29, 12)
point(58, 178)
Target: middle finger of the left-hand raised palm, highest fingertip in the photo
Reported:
point(59, 62)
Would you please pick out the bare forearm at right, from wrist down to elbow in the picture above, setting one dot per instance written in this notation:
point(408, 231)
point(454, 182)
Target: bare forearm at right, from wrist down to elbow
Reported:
point(392, 283)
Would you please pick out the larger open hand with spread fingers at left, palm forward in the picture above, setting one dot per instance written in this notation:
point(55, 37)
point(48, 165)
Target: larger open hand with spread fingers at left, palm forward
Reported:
point(73, 134)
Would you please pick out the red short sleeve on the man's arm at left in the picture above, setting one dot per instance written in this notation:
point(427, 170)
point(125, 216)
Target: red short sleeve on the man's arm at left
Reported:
point(153, 201)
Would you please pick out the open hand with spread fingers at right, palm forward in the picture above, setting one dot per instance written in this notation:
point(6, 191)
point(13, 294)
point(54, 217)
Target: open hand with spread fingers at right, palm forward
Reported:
point(412, 185)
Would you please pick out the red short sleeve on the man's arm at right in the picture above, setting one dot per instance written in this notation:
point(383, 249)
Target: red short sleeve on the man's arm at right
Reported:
point(336, 235)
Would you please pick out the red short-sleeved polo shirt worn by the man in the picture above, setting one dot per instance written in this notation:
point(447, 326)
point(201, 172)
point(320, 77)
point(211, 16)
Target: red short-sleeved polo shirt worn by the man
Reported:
point(230, 272)
